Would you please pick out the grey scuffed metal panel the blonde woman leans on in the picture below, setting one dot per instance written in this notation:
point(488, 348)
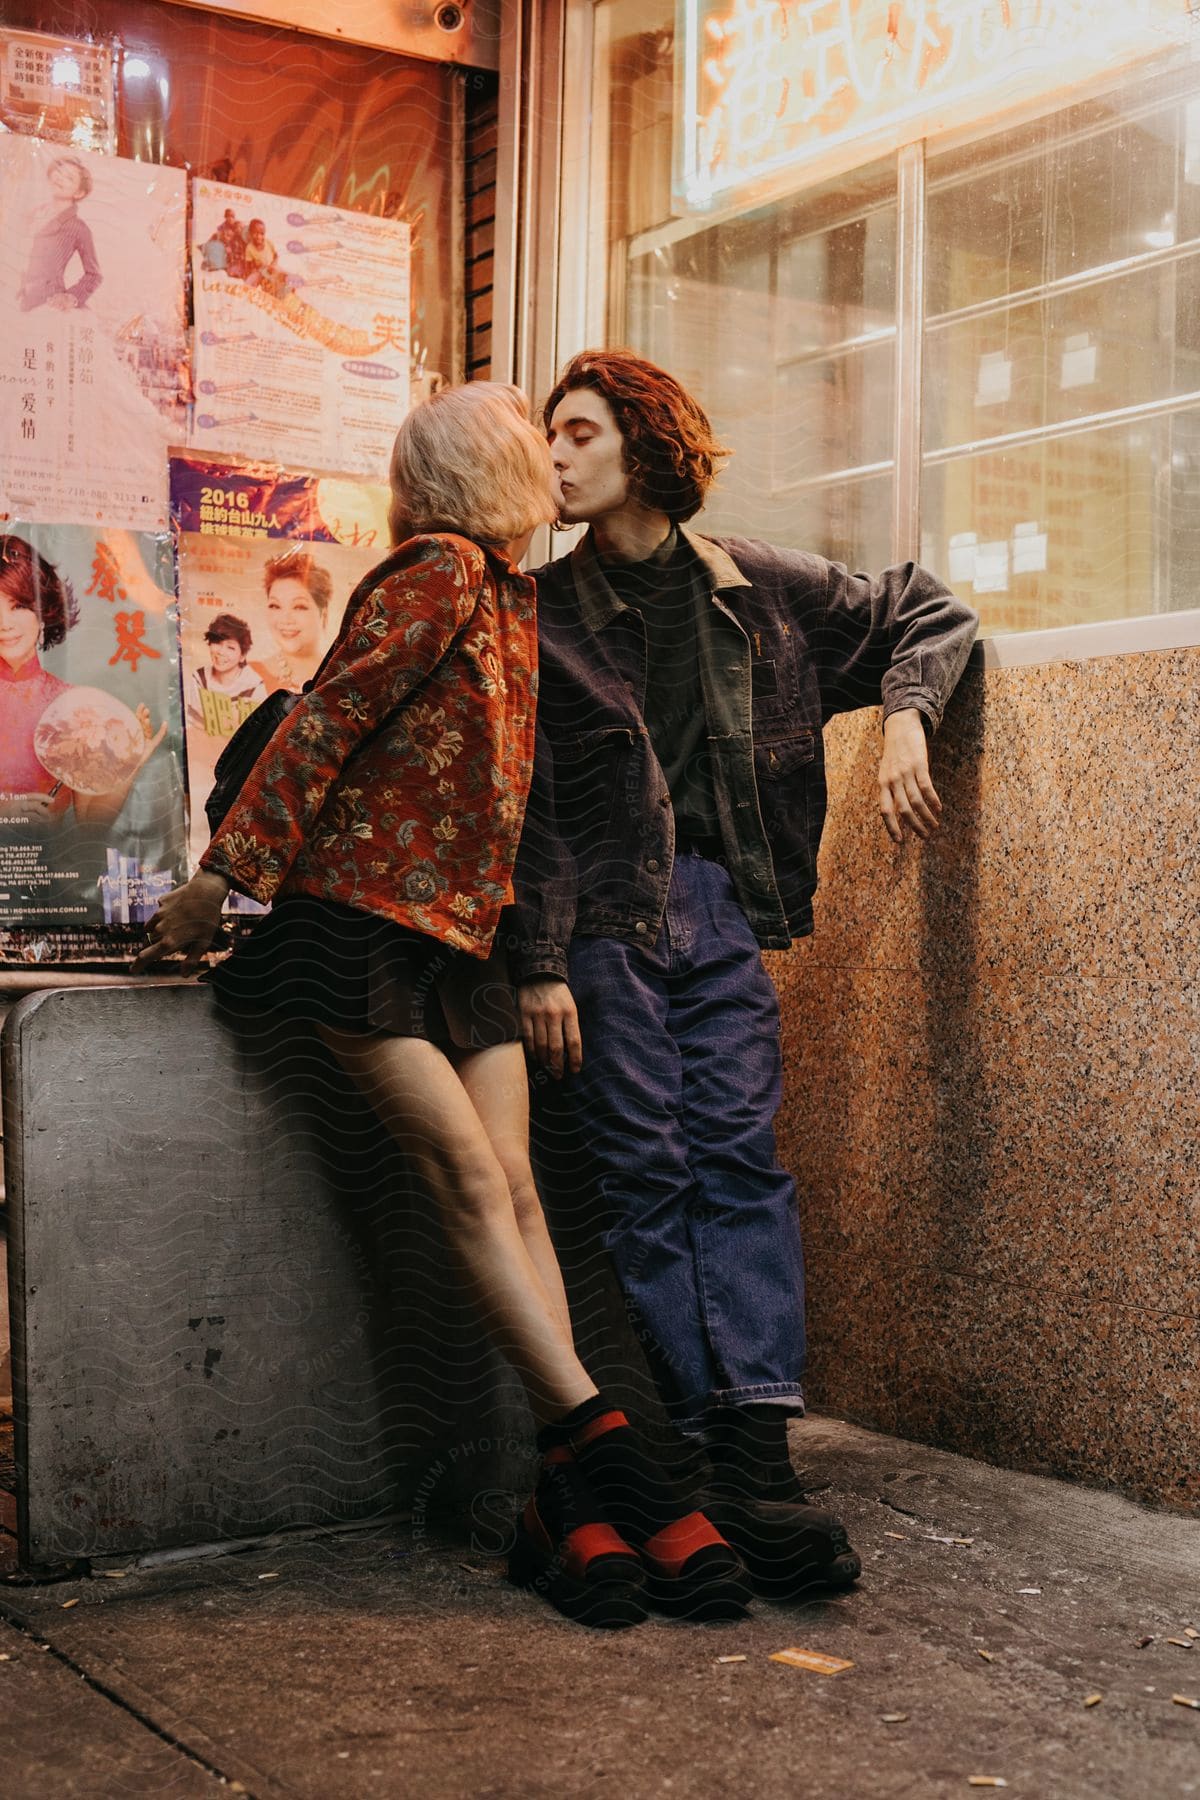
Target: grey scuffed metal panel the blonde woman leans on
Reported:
point(231, 1308)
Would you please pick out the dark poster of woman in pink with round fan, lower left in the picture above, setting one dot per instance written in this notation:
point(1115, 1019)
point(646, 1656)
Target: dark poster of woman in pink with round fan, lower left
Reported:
point(91, 733)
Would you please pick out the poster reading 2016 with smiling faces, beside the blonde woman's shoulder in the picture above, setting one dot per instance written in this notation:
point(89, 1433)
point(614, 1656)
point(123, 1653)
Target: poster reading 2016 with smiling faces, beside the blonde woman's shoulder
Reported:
point(267, 561)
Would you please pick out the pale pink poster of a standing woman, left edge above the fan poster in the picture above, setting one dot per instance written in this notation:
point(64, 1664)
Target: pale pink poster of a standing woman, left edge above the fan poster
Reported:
point(93, 339)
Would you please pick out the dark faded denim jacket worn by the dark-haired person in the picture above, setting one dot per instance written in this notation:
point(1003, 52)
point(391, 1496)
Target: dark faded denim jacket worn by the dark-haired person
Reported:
point(789, 642)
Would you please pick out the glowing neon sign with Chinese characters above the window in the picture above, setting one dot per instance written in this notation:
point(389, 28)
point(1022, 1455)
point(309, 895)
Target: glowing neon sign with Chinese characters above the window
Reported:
point(773, 87)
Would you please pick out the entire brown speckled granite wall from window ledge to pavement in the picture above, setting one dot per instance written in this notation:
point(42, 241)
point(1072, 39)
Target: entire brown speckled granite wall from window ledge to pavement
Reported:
point(994, 1097)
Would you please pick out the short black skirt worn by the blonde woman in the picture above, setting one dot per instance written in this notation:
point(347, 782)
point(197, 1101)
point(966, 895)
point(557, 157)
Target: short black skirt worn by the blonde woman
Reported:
point(318, 962)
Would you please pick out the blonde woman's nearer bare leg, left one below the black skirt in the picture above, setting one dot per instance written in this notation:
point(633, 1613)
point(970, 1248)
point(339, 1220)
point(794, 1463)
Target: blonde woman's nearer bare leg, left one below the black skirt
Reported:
point(429, 1111)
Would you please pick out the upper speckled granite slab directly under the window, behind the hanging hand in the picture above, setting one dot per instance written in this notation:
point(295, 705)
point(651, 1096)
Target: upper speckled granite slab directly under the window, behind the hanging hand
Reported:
point(1070, 831)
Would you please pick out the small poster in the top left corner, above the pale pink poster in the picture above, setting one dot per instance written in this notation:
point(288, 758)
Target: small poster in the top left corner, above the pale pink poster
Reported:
point(58, 89)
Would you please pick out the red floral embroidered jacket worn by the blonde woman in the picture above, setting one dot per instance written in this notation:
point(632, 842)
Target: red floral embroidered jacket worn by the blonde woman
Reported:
point(399, 784)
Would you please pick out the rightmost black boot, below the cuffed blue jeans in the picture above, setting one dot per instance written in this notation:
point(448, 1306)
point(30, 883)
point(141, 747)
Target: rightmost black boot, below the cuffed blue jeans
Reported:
point(757, 1500)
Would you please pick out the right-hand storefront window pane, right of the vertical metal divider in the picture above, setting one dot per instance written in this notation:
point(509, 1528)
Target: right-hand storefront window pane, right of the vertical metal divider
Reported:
point(1062, 382)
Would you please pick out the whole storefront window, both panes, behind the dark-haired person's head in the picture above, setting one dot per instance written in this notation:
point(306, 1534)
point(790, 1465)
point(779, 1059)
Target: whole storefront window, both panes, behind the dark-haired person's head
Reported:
point(1059, 431)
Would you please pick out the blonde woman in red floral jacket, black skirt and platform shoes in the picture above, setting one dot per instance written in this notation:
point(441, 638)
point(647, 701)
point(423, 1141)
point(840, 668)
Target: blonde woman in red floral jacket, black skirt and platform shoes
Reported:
point(382, 825)
